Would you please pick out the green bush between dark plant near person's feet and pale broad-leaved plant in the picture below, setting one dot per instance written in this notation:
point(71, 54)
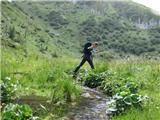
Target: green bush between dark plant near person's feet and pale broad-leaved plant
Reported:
point(115, 83)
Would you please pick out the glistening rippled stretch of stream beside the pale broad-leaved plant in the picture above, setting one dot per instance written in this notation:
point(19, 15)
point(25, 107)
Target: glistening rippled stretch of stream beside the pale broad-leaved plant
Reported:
point(92, 106)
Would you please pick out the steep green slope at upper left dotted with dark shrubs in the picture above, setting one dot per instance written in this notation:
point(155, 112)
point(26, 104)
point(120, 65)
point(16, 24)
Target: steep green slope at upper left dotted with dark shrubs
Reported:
point(24, 35)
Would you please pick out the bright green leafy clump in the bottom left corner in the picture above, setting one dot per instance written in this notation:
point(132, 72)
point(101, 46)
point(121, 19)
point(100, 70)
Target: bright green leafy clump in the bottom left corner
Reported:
point(18, 112)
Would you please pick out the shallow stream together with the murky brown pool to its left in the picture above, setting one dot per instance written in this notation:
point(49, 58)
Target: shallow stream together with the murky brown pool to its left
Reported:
point(91, 106)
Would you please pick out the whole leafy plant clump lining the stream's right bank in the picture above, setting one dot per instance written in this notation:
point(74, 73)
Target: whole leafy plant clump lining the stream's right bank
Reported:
point(123, 89)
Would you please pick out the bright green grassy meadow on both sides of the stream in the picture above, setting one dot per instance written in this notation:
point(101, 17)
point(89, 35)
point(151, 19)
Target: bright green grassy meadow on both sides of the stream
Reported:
point(51, 78)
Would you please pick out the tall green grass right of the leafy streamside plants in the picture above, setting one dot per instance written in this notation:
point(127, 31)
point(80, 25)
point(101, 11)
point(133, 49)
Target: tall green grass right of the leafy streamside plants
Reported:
point(147, 72)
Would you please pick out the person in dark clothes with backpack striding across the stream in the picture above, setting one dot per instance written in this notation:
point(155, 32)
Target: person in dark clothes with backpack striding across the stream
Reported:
point(87, 56)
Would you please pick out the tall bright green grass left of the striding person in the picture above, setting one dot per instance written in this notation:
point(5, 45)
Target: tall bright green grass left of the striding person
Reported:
point(39, 74)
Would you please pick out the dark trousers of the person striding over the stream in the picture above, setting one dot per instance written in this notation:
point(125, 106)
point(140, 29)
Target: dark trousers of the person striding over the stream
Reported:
point(87, 58)
